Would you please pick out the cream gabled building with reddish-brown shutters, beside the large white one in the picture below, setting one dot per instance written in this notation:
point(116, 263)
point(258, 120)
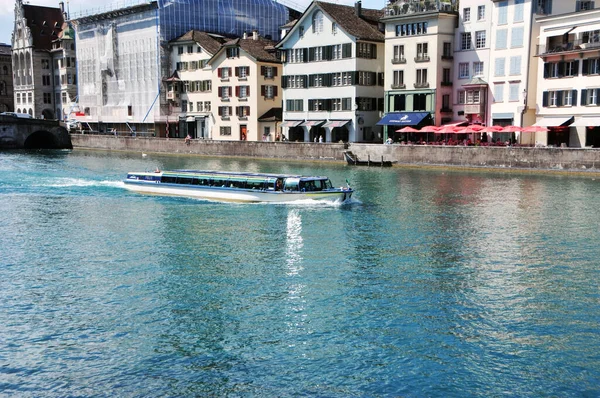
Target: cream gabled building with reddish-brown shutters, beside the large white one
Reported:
point(246, 86)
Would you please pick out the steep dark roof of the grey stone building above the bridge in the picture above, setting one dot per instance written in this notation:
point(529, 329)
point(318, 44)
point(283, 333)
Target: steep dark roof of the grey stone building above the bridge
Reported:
point(45, 23)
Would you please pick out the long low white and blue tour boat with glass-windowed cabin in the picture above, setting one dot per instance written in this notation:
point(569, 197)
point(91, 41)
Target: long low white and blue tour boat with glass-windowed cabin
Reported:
point(236, 187)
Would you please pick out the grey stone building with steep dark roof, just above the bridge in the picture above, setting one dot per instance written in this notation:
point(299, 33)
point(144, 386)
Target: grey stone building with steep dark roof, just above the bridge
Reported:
point(35, 29)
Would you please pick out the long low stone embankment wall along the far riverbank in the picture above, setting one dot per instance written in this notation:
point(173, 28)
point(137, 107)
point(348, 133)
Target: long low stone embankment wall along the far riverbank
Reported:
point(560, 159)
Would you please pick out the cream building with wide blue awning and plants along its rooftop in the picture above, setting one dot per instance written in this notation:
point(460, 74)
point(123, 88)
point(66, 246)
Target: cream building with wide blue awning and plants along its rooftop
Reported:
point(419, 43)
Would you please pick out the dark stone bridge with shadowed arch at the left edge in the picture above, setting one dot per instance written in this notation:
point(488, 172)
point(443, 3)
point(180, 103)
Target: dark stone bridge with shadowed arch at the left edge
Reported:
point(22, 133)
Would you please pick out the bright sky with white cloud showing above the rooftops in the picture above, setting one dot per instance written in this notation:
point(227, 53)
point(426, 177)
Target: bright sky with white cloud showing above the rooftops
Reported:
point(7, 9)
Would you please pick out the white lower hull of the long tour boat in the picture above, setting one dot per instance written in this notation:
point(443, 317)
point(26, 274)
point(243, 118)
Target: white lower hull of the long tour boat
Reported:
point(236, 195)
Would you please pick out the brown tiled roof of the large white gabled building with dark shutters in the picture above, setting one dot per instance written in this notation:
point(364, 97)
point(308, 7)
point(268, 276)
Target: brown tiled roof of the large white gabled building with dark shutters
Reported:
point(364, 27)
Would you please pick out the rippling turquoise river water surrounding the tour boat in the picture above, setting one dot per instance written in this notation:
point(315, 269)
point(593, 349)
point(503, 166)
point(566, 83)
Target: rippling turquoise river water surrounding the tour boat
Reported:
point(432, 283)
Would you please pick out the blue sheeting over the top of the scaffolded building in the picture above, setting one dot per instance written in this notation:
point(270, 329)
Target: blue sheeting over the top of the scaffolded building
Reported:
point(228, 17)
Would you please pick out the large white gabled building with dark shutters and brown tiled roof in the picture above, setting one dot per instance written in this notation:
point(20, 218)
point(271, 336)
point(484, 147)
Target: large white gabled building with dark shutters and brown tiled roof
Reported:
point(333, 74)
